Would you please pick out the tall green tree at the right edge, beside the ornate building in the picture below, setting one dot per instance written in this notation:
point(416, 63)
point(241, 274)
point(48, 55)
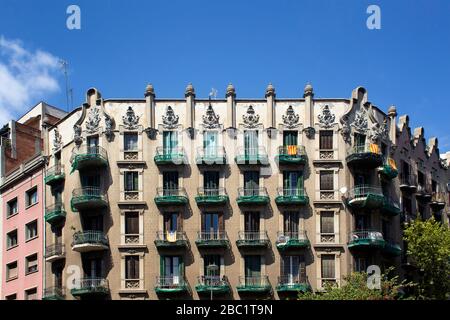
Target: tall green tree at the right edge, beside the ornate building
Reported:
point(428, 246)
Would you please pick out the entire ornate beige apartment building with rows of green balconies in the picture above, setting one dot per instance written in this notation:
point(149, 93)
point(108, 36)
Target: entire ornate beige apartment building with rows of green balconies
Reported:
point(163, 198)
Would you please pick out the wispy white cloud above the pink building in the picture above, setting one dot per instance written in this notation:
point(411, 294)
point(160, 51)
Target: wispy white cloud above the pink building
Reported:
point(26, 77)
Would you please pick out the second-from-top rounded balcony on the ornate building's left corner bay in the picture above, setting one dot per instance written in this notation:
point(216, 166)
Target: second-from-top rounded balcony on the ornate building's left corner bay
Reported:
point(88, 198)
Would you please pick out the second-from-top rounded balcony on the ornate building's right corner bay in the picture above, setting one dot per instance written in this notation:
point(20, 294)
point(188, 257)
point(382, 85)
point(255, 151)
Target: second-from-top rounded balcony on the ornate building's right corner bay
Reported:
point(365, 197)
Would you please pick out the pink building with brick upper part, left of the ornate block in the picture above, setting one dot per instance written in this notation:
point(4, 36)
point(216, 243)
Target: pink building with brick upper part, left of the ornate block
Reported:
point(22, 191)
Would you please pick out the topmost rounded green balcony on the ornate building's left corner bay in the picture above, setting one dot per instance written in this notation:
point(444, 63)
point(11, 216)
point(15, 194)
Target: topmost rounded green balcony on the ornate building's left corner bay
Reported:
point(86, 157)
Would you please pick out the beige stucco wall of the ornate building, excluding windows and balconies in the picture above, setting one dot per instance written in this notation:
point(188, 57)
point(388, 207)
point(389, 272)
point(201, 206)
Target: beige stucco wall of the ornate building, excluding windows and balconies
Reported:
point(150, 117)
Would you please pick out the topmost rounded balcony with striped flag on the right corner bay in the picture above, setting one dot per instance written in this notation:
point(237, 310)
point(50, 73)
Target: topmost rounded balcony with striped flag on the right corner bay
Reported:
point(367, 156)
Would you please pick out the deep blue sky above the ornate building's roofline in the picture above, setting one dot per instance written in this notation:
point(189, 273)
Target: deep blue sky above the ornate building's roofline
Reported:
point(123, 45)
